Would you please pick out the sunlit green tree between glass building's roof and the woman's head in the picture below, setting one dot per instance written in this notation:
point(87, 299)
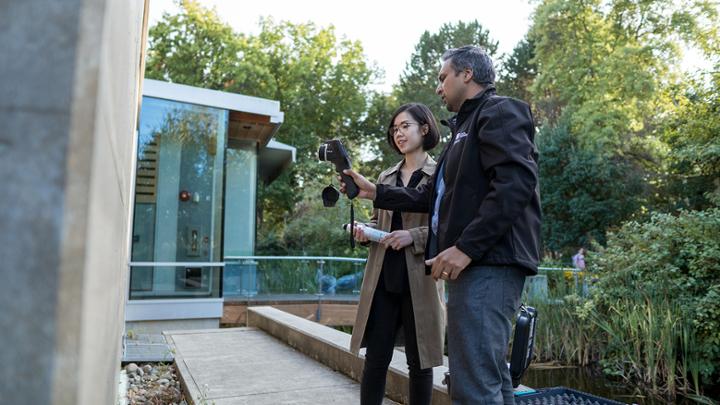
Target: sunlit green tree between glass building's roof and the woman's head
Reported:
point(321, 84)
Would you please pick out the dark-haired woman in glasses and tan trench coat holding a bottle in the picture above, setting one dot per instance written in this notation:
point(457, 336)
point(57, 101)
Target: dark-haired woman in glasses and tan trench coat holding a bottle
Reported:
point(397, 299)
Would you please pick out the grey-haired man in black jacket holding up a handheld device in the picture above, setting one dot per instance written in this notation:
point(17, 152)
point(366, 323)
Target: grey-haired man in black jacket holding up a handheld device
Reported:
point(485, 219)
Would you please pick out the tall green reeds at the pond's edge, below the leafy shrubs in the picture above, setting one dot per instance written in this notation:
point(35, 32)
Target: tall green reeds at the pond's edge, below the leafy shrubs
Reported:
point(644, 342)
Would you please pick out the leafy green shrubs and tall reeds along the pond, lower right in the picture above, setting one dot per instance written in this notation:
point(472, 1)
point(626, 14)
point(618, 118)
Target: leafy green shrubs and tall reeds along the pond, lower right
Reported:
point(653, 319)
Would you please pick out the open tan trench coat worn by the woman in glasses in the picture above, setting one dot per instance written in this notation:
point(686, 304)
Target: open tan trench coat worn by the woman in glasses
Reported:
point(427, 295)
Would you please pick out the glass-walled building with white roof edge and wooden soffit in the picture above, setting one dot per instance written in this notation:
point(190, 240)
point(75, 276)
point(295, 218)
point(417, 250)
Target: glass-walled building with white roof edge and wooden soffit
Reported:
point(200, 154)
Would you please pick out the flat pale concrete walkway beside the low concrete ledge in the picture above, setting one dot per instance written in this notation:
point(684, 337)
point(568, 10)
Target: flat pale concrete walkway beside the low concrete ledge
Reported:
point(248, 366)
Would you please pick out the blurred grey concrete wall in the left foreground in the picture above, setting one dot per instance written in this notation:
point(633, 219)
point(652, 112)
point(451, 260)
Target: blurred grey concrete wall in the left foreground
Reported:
point(70, 75)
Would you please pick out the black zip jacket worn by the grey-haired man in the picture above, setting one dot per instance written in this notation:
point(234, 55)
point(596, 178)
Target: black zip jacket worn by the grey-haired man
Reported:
point(490, 209)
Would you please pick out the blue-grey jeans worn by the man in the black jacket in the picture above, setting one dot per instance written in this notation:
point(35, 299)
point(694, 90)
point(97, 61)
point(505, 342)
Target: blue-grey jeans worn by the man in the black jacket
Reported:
point(481, 304)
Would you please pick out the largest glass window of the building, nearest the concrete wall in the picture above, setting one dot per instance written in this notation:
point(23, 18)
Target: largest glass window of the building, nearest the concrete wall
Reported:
point(177, 229)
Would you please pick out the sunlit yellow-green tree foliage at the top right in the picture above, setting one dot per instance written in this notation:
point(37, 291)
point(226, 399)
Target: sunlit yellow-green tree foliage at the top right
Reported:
point(605, 65)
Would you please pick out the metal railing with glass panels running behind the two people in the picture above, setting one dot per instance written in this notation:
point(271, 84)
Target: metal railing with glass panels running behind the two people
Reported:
point(287, 278)
